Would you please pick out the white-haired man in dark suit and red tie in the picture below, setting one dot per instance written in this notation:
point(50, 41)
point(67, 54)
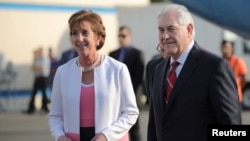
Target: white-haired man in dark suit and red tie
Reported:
point(205, 92)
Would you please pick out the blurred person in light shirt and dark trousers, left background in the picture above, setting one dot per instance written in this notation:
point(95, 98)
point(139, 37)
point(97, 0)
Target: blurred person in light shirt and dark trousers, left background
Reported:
point(41, 69)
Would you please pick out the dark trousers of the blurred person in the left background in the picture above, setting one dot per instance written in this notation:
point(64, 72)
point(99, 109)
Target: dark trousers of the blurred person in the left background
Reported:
point(40, 83)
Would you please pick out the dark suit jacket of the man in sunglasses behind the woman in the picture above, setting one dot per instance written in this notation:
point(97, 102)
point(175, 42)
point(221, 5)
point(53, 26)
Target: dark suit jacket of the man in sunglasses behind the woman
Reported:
point(135, 62)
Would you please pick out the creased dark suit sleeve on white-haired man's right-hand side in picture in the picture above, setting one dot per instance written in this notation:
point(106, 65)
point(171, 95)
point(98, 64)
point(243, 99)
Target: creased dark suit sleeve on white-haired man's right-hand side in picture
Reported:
point(224, 96)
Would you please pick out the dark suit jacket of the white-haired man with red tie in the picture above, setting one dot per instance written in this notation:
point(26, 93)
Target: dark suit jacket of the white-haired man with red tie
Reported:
point(204, 93)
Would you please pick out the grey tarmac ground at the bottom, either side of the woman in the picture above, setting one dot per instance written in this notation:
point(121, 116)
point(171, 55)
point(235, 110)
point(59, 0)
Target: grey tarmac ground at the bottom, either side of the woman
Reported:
point(16, 126)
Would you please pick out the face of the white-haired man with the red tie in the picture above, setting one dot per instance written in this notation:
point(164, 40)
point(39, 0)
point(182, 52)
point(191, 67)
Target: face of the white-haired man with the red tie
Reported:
point(173, 37)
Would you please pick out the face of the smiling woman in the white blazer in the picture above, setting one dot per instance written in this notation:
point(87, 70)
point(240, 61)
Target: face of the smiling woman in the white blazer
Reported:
point(84, 39)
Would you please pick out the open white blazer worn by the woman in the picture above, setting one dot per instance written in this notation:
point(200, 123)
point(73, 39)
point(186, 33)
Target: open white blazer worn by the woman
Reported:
point(115, 104)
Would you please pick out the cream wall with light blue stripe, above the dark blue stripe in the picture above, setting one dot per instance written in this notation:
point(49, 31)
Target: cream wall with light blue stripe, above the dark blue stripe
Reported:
point(25, 27)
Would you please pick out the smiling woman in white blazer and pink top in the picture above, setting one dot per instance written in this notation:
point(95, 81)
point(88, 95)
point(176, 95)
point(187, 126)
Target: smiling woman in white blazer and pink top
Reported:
point(92, 97)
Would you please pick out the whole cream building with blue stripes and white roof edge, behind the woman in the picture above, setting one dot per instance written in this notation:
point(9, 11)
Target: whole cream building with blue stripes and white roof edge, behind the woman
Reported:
point(28, 24)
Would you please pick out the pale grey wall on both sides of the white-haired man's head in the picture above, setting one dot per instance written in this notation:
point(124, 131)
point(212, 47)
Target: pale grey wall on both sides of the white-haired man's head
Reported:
point(144, 25)
